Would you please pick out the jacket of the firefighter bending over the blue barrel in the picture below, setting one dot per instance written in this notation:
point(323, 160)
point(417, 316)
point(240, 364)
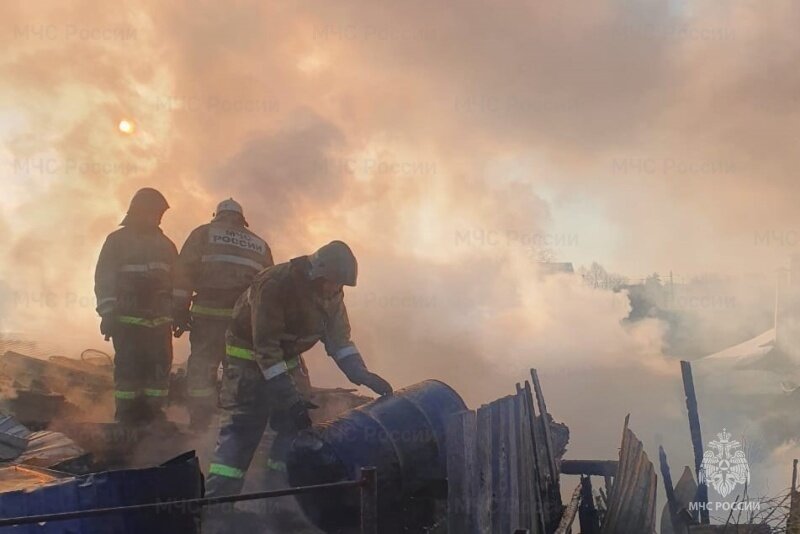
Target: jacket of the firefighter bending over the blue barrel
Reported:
point(280, 316)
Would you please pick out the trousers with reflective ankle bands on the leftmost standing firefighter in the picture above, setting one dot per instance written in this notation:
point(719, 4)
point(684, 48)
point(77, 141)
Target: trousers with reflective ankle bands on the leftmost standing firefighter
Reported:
point(142, 363)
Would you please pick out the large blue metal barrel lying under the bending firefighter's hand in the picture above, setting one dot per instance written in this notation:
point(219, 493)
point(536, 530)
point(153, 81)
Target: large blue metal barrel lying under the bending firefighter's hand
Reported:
point(403, 436)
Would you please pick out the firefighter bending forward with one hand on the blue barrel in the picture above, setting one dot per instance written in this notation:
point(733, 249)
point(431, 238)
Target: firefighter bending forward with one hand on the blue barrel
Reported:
point(284, 312)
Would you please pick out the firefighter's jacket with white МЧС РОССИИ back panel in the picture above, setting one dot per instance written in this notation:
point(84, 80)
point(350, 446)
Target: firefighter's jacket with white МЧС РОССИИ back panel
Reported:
point(217, 263)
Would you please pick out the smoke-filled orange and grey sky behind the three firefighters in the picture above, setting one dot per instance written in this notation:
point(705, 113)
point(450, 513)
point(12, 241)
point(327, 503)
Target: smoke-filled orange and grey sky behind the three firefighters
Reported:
point(446, 142)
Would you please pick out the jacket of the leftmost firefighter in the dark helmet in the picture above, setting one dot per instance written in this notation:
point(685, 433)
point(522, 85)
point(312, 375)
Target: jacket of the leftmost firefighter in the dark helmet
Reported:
point(134, 275)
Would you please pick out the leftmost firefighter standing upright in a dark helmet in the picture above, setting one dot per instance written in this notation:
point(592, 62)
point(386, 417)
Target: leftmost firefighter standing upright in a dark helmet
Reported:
point(133, 285)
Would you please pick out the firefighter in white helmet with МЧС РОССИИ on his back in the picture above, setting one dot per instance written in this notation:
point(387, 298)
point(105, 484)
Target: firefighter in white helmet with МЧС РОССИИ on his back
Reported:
point(216, 264)
